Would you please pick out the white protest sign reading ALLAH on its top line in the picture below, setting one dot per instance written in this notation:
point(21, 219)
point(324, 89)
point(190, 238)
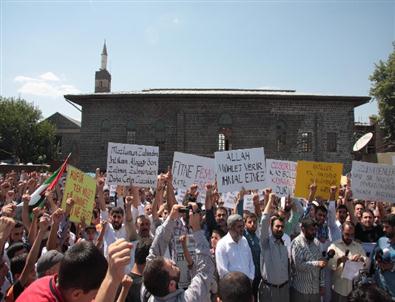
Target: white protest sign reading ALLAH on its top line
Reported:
point(237, 169)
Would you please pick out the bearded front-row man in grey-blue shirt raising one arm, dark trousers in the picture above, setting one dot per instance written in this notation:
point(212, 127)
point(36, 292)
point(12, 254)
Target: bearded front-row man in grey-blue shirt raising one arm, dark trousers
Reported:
point(275, 263)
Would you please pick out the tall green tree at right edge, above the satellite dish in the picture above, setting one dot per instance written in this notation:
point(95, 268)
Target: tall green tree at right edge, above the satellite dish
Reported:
point(383, 90)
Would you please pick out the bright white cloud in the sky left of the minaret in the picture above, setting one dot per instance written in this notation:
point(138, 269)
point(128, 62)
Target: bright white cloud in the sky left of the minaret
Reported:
point(47, 84)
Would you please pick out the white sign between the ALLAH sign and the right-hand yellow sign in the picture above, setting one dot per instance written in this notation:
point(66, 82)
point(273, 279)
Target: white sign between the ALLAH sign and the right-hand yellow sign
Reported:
point(281, 176)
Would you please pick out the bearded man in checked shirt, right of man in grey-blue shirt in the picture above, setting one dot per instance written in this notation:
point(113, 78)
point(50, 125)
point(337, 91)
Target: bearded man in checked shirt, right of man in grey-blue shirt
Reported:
point(308, 282)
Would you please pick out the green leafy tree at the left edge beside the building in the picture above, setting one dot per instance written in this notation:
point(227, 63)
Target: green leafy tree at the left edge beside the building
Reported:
point(22, 135)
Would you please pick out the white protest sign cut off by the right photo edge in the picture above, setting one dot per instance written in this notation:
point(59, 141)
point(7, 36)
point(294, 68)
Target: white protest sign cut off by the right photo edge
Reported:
point(373, 181)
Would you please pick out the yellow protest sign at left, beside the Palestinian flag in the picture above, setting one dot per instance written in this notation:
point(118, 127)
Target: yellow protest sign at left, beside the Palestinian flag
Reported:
point(82, 188)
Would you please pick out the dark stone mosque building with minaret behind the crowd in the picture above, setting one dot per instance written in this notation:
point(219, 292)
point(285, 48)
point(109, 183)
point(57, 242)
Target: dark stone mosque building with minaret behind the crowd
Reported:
point(289, 125)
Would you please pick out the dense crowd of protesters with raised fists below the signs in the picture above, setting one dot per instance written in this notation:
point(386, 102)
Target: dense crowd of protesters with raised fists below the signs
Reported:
point(143, 245)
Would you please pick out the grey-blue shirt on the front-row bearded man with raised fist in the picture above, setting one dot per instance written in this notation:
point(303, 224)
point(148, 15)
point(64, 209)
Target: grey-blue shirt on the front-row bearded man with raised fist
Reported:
point(274, 256)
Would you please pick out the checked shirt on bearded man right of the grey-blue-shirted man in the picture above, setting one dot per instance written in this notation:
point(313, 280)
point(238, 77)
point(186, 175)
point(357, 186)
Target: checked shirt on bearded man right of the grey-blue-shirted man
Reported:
point(308, 276)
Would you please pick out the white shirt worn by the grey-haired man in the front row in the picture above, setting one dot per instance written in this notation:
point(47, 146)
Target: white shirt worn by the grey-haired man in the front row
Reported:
point(234, 256)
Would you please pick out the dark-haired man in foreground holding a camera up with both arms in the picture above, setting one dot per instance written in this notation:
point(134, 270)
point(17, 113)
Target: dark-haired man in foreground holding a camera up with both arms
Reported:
point(161, 275)
